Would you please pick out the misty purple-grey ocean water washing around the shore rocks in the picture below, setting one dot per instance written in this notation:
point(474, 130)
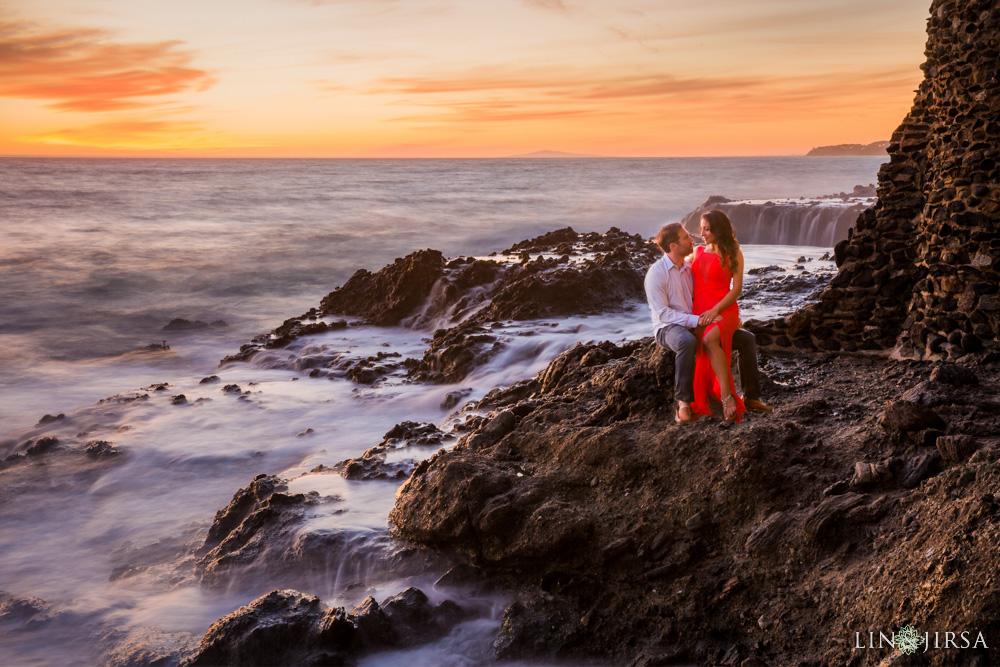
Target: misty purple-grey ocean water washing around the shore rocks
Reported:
point(99, 255)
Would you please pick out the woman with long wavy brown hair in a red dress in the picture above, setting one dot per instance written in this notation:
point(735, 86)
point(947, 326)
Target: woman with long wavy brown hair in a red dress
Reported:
point(718, 280)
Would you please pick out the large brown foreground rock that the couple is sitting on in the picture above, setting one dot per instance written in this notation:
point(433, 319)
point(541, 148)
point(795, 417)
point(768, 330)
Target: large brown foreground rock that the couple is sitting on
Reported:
point(640, 540)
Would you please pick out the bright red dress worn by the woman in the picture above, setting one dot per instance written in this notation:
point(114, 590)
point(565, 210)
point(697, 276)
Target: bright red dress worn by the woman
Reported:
point(712, 283)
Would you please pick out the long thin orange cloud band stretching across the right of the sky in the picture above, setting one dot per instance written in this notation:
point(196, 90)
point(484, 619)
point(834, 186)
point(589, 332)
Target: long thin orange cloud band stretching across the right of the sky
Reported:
point(505, 94)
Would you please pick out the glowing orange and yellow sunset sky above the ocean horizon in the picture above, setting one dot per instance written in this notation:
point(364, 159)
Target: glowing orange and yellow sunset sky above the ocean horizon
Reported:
point(452, 78)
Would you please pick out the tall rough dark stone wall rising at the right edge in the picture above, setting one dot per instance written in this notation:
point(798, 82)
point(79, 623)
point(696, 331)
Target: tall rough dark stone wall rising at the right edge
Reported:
point(920, 272)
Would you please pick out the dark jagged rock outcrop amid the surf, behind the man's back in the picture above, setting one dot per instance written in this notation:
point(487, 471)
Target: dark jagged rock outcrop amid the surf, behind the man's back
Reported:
point(554, 275)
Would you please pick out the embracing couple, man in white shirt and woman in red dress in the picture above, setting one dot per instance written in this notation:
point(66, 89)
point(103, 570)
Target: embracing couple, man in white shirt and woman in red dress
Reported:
point(693, 303)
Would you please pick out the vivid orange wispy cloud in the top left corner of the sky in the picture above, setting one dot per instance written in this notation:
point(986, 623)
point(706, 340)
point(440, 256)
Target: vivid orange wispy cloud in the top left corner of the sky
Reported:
point(81, 70)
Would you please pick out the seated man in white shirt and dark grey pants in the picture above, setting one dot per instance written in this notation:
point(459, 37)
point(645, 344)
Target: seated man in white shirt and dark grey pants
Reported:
point(669, 290)
